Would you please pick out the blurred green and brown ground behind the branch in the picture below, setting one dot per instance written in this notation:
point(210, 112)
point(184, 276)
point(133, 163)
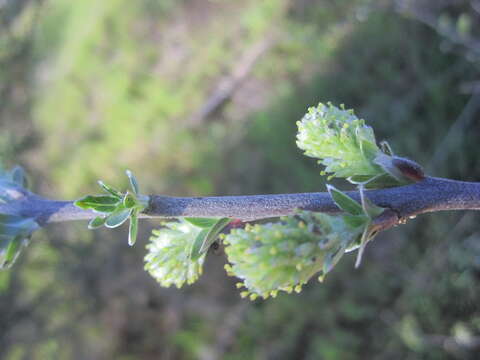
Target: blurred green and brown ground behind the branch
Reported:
point(201, 97)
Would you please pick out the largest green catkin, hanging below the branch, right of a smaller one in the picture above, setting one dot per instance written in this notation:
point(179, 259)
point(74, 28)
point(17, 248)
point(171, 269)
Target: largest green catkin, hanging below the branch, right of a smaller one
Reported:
point(284, 256)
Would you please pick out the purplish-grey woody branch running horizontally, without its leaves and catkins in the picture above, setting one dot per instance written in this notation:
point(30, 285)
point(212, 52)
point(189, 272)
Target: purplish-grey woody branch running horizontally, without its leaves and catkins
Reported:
point(430, 194)
